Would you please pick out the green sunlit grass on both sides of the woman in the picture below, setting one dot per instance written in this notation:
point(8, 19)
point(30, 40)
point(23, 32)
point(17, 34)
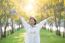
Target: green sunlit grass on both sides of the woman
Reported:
point(46, 37)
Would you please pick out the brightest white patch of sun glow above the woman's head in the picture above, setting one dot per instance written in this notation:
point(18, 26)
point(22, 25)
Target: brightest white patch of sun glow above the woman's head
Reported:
point(29, 6)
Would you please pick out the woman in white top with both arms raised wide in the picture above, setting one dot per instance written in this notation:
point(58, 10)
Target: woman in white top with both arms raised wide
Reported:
point(32, 30)
